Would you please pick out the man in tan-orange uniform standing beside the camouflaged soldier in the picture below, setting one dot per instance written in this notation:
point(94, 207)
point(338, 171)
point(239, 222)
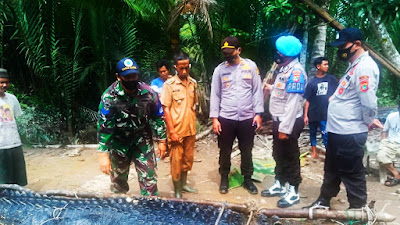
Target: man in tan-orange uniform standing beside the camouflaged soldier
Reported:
point(179, 99)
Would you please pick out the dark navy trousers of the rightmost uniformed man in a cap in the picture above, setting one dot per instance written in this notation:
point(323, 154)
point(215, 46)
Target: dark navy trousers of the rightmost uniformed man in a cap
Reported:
point(343, 163)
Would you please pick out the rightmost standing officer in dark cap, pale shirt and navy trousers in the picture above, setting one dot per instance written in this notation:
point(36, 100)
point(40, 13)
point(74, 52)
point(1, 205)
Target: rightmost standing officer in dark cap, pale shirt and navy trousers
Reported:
point(351, 111)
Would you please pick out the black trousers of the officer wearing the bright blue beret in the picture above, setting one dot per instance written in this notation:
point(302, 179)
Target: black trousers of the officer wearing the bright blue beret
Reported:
point(286, 154)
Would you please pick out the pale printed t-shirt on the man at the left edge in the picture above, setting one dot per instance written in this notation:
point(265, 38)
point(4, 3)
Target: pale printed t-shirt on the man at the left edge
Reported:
point(9, 110)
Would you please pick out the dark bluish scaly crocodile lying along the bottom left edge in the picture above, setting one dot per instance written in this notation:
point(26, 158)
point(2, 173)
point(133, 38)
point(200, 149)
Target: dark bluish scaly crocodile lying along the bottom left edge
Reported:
point(23, 206)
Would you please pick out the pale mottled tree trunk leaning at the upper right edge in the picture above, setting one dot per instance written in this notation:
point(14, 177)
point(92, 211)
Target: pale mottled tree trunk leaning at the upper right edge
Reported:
point(386, 43)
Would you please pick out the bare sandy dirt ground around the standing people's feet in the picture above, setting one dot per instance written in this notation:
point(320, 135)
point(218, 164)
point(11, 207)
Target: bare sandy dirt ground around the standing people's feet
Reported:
point(78, 170)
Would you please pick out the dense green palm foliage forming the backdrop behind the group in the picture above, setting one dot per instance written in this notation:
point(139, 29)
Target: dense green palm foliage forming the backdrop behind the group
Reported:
point(62, 54)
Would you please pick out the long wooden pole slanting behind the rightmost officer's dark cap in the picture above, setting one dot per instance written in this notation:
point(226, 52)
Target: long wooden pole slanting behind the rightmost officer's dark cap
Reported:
point(338, 26)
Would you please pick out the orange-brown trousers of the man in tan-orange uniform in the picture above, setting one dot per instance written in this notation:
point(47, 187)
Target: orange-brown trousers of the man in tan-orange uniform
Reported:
point(181, 156)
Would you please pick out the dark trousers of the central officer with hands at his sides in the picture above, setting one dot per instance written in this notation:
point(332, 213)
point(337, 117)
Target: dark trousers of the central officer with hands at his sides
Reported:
point(244, 131)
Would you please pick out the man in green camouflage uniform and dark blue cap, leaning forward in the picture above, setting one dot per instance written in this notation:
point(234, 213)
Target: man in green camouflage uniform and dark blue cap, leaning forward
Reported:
point(127, 115)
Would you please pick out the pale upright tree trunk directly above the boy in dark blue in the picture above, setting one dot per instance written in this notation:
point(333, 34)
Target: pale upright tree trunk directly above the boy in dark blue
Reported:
point(319, 44)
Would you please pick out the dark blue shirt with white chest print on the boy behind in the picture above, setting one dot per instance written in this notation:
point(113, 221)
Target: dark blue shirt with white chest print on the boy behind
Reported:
point(318, 91)
